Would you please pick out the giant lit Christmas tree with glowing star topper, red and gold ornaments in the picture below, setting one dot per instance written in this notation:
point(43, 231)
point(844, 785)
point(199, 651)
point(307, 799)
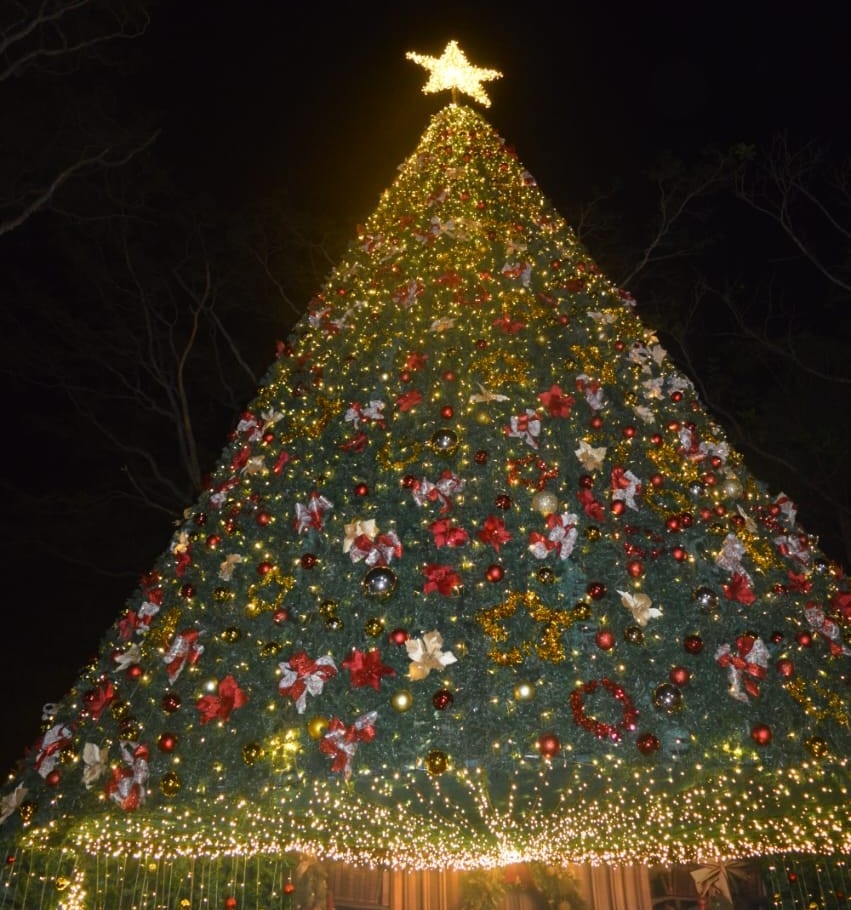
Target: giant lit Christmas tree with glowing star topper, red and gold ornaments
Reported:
point(477, 580)
